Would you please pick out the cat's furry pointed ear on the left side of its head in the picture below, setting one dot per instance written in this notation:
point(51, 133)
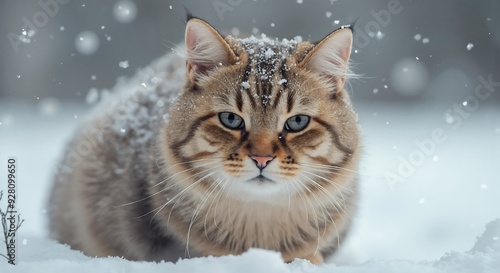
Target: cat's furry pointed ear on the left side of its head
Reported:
point(206, 49)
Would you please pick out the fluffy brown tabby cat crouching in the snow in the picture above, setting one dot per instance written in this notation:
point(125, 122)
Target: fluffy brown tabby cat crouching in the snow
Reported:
point(235, 144)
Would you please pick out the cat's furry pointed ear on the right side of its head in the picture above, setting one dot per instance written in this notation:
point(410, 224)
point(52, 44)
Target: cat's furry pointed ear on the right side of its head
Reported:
point(330, 57)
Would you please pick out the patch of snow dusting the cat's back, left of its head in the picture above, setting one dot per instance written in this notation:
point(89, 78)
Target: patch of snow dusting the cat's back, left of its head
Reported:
point(136, 105)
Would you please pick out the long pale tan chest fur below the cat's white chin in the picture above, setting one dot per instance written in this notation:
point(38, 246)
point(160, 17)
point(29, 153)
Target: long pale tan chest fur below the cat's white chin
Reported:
point(244, 225)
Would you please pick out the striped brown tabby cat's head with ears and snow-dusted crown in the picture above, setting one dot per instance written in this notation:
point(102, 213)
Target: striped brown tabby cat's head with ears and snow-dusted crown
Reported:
point(260, 117)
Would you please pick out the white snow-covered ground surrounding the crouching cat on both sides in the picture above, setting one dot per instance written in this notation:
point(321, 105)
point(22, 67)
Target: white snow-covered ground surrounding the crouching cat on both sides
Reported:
point(443, 205)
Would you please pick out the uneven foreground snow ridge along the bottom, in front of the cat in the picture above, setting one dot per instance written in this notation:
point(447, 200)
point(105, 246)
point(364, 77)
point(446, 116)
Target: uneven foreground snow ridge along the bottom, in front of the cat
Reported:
point(484, 256)
